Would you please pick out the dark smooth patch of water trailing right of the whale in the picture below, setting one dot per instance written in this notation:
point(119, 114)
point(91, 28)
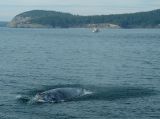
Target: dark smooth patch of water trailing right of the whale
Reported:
point(116, 93)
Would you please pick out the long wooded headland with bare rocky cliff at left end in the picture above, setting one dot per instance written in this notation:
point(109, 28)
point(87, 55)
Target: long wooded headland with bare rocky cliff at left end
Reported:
point(53, 19)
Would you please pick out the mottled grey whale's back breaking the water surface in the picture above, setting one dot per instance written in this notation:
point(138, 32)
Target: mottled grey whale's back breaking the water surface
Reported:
point(59, 95)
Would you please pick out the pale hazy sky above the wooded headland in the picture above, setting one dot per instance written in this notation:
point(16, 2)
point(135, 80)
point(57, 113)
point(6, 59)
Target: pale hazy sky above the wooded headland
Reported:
point(10, 8)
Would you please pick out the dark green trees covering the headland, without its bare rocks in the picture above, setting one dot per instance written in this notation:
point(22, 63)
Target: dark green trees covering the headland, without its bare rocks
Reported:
point(58, 19)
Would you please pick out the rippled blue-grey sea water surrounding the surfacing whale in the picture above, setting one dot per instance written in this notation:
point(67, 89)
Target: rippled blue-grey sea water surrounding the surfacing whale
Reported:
point(121, 67)
